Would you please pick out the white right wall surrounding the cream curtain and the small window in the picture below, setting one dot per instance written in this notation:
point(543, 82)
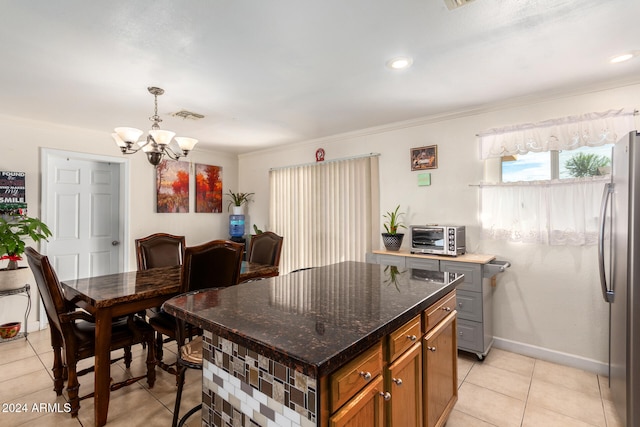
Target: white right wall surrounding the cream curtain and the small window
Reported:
point(549, 301)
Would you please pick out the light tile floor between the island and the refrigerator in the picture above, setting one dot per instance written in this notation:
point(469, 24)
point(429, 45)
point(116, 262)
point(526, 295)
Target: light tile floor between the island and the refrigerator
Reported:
point(508, 389)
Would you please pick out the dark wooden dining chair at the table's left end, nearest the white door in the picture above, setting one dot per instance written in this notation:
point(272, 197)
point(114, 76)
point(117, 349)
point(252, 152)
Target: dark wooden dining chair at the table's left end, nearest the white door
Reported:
point(73, 332)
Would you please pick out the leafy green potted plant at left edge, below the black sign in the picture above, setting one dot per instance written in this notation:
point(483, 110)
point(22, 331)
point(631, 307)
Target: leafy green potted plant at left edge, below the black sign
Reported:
point(12, 231)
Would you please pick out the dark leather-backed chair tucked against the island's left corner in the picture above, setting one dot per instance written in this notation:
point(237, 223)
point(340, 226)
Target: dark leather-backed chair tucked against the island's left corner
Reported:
point(215, 264)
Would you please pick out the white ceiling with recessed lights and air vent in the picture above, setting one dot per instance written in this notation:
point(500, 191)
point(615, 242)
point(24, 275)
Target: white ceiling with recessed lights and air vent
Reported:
point(272, 72)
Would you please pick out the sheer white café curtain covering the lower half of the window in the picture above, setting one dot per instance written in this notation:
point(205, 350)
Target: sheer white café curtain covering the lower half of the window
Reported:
point(559, 212)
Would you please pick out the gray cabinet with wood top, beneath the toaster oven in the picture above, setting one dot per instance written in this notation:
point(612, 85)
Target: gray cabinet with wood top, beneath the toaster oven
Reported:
point(474, 301)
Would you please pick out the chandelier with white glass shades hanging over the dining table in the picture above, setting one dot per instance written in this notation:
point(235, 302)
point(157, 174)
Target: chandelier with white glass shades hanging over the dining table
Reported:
point(156, 145)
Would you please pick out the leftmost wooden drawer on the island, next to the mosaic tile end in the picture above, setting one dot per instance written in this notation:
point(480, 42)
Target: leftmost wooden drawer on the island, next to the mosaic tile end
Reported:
point(349, 379)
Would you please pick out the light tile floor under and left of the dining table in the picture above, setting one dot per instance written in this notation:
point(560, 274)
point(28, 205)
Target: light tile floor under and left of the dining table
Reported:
point(26, 379)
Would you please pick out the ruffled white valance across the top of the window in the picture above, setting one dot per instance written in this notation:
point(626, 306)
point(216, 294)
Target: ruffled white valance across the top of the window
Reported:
point(566, 133)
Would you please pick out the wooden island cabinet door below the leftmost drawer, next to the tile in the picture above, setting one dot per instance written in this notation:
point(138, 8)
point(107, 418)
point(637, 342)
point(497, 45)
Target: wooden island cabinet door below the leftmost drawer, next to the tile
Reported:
point(365, 409)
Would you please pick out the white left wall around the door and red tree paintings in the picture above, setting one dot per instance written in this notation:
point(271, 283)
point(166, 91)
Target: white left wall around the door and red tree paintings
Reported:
point(20, 151)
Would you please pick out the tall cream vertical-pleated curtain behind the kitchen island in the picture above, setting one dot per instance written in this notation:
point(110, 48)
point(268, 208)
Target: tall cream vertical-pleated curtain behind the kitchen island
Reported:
point(327, 212)
